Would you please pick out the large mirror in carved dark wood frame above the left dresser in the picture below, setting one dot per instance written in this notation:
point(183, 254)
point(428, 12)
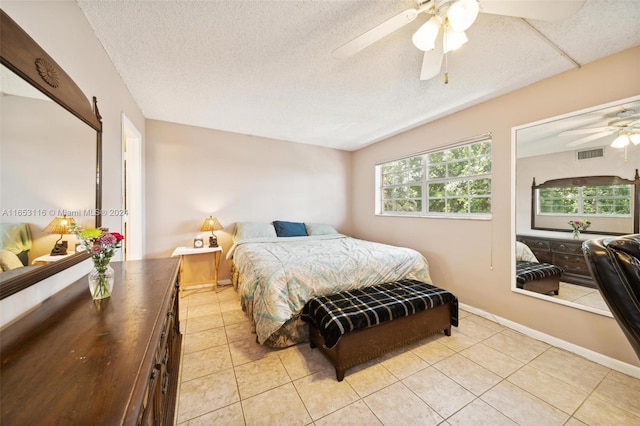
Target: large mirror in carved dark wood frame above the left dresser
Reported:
point(50, 156)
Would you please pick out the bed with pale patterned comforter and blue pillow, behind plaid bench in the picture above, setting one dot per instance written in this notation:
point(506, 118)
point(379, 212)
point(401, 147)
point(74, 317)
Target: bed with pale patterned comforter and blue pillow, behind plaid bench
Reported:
point(277, 268)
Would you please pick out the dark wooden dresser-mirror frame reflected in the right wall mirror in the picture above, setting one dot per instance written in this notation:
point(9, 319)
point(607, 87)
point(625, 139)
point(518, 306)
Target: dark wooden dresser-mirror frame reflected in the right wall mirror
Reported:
point(588, 181)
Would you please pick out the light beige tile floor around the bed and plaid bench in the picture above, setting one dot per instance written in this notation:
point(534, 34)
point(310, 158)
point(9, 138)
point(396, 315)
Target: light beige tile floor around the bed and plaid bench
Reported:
point(484, 374)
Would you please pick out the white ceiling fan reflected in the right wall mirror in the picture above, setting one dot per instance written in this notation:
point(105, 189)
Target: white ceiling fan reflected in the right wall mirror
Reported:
point(626, 125)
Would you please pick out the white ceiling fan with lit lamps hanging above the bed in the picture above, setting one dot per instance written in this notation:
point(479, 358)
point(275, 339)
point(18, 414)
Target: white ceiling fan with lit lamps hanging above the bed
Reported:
point(445, 30)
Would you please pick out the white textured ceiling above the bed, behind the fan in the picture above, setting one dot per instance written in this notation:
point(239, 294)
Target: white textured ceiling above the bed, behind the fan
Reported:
point(265, 67)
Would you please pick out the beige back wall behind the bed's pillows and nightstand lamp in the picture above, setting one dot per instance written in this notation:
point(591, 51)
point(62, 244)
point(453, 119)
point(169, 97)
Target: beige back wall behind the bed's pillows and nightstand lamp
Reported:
point(194, 172)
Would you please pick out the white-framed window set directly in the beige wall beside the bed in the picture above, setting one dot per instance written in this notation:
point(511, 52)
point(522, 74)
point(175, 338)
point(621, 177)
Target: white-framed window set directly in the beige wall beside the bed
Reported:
point(454, 182)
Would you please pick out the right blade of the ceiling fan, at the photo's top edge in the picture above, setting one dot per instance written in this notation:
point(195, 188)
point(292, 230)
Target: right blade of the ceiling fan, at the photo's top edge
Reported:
point(544, 10)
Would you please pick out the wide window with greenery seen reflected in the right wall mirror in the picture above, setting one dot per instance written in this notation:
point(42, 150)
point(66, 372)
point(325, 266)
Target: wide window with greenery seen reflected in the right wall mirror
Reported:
point(592, 200)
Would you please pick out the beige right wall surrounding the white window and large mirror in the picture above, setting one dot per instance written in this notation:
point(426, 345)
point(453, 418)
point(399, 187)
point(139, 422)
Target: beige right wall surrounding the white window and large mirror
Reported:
point(472, 257)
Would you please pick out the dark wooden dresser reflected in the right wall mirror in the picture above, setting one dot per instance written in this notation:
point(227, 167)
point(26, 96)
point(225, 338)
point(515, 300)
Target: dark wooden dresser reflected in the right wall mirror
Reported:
point(564, 253)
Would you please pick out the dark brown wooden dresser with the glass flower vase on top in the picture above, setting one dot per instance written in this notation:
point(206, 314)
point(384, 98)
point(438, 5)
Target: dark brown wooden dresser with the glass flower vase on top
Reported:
point(73, 361)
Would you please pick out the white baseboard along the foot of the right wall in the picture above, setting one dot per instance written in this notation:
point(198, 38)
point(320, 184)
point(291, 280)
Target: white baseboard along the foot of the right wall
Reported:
point(612, 363)
